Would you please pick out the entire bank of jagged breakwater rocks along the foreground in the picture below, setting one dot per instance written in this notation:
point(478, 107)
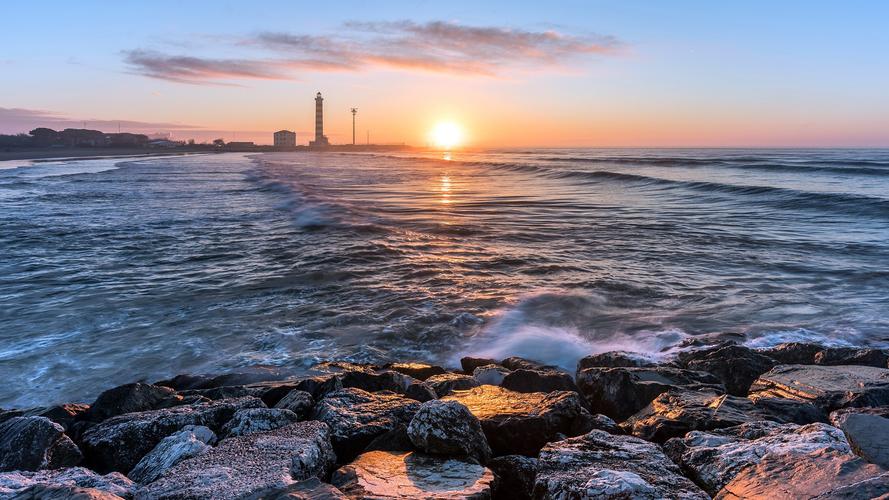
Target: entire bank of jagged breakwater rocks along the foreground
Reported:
point(717, 421)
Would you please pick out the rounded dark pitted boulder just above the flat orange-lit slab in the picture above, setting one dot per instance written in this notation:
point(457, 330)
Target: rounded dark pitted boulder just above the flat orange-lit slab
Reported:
point(448, 428)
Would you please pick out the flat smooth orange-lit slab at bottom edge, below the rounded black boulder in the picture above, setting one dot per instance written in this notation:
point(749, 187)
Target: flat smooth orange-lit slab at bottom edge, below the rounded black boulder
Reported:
point(391, 474)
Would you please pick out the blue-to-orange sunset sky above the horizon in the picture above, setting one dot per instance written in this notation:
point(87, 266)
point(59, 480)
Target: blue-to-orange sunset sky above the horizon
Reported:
point(509, 74)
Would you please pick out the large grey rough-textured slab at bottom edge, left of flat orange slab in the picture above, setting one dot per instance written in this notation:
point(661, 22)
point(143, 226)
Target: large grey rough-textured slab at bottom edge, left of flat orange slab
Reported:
point(246, 465)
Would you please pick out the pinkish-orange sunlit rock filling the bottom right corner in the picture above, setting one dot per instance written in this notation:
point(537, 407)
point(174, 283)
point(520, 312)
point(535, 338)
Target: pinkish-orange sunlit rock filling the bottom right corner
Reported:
point(821, 474)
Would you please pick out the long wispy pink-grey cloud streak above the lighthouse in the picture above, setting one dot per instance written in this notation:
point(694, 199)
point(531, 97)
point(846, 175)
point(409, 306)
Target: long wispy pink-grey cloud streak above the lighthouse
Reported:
point(443, 47)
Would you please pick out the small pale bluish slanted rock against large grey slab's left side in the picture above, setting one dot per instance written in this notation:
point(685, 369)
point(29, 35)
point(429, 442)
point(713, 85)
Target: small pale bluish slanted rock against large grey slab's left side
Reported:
point(189, 442)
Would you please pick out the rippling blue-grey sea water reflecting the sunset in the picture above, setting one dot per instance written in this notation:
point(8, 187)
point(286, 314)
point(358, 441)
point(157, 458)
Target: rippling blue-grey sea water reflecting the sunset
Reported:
point(115, 270)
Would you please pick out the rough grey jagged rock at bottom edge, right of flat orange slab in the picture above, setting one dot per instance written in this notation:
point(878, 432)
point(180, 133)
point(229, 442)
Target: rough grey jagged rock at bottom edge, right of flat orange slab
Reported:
point(601, 465)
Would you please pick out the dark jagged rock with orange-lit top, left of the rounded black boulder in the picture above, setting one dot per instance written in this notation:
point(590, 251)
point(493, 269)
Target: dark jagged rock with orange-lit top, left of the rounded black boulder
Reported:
point(356, 417)
